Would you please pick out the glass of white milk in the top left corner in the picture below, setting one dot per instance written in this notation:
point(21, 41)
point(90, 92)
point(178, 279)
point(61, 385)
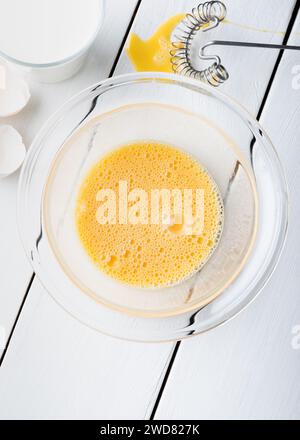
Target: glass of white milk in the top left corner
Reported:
point(49, 38)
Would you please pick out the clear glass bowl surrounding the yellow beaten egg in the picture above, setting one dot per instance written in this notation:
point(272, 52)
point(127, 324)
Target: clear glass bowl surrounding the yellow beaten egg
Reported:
point(208, 125)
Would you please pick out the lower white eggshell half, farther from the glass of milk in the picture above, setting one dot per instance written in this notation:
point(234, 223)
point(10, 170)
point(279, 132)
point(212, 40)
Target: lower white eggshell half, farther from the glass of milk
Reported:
point(12, 150)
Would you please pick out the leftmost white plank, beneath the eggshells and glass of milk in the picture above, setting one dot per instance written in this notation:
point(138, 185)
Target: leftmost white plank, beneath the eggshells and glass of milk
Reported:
point(45, 100)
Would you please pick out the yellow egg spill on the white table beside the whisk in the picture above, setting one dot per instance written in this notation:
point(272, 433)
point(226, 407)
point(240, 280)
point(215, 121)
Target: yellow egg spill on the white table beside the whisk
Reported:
point(154, 54)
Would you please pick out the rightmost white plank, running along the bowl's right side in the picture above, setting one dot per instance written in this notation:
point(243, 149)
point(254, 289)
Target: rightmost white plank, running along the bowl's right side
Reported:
point(249, 369)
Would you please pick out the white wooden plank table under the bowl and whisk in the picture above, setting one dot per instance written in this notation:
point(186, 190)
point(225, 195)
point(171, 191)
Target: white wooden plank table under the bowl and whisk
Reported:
point(54, 367)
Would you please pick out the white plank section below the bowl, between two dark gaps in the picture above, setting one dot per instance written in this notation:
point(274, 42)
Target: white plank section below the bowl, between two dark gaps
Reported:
point(58, 368)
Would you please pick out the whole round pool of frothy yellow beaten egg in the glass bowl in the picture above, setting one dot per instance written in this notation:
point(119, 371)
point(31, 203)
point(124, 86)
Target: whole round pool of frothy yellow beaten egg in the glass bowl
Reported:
point(139, 248)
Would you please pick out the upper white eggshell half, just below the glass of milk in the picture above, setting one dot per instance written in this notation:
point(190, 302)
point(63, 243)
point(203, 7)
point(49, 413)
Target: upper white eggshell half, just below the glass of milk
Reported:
point(14, 92)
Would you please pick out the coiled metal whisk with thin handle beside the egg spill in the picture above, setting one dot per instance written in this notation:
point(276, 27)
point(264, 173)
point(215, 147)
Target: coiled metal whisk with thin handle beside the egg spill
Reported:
point(204, 17)
